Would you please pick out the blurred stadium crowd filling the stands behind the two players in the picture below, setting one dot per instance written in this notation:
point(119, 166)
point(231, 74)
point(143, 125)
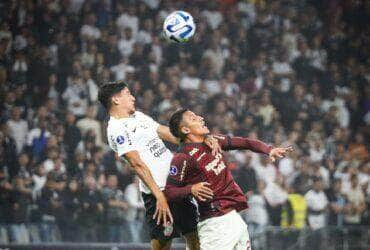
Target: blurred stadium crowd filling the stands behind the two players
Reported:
point(287, 72)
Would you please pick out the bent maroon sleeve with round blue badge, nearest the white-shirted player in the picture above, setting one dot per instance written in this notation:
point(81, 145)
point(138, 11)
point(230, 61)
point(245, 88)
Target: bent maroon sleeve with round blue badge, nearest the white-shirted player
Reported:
point(177, 186)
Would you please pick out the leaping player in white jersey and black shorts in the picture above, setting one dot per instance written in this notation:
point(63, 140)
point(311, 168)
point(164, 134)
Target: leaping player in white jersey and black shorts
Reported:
point(138, 138)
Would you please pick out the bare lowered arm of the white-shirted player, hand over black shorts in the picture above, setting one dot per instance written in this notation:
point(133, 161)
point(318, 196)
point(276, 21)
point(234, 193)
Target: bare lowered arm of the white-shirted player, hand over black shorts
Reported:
point(142, 170)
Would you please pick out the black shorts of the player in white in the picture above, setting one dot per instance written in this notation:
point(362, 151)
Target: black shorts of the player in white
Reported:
point(185, 216)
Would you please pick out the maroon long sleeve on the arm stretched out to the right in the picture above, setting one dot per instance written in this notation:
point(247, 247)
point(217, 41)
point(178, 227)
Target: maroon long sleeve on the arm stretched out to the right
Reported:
point(232, 143)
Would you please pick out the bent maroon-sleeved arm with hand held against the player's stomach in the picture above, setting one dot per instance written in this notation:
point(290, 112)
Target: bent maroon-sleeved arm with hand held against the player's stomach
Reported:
point(178, 186)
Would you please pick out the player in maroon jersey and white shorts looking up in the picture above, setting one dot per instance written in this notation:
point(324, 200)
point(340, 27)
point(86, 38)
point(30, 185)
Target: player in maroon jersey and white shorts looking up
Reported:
point(220, 226)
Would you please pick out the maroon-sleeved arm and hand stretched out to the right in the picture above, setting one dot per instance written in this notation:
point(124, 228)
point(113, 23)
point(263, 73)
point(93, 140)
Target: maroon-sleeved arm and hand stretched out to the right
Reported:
point(257, 146)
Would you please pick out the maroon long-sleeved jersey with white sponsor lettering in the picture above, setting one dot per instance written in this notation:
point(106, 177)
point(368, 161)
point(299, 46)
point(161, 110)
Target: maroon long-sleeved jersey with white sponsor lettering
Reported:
point(195, 163)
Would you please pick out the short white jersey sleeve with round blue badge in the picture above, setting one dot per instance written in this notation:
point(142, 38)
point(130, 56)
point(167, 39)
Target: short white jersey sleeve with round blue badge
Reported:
point(121, 142)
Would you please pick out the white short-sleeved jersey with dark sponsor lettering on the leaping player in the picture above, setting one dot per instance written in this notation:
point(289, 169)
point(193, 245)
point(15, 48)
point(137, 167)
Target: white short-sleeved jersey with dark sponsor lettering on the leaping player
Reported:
point(139, 133)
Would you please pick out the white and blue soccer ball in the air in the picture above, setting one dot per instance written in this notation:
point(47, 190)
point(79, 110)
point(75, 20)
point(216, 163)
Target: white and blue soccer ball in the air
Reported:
point(179, 26)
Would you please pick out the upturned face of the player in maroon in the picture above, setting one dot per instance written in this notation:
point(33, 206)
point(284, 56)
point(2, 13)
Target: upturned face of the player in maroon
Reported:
point(194, 124)
